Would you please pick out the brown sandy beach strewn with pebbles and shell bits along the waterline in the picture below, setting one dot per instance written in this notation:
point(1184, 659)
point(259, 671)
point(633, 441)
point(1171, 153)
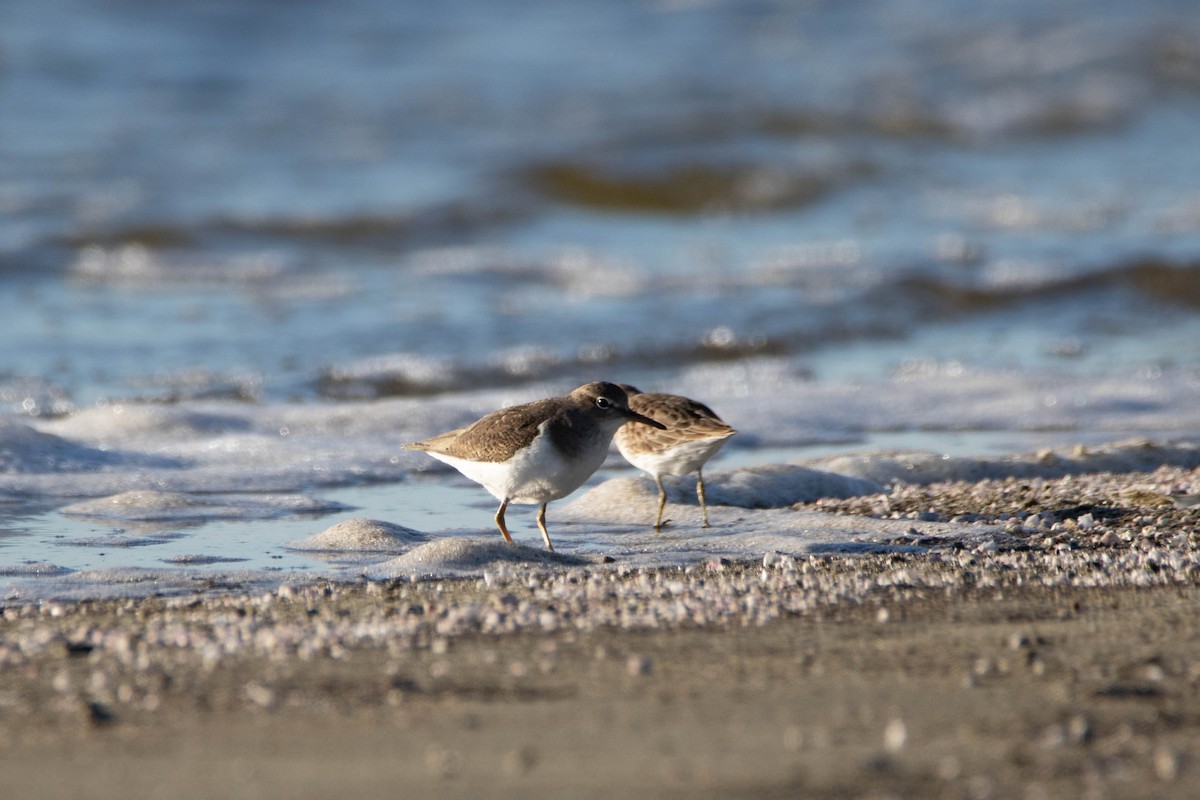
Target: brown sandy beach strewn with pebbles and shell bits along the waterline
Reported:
point(1061, 661)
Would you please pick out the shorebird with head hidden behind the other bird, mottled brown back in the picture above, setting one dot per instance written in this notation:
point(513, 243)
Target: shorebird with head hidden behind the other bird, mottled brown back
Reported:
point(691, 436)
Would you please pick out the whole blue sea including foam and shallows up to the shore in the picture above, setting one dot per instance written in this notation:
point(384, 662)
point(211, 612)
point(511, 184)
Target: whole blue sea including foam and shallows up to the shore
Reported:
point(249, 251)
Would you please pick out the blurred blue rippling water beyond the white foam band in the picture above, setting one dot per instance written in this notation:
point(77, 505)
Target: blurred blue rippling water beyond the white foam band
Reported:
point(259, 202)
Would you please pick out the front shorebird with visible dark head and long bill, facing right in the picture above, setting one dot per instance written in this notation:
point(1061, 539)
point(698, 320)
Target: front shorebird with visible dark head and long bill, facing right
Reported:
point(539, 452)
